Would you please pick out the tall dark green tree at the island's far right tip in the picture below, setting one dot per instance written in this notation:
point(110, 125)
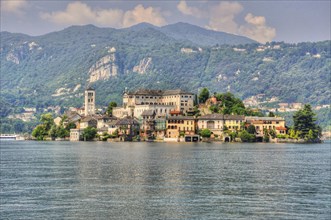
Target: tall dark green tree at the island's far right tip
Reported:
point(304, 122)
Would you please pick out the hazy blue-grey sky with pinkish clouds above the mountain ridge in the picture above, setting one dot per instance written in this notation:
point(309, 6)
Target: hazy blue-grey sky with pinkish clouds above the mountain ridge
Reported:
point(264, 21)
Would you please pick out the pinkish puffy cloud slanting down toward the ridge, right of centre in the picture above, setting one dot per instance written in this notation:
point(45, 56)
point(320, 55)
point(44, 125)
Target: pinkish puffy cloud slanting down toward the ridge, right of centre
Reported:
point(222, 18)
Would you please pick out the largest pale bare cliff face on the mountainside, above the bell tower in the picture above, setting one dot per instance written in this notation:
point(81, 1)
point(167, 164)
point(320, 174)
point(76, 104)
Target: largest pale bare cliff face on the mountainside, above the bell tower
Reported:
point(104, 68)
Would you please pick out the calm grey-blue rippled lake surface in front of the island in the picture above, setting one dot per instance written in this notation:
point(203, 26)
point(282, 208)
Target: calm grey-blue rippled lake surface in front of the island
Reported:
point(95, 180)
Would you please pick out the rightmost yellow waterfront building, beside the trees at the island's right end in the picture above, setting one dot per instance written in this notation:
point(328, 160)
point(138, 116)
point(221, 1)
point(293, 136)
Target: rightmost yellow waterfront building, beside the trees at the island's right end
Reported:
point(269, 123)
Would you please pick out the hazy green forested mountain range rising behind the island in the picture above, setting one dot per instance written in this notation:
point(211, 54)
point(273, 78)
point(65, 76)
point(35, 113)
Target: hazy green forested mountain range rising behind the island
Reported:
point(54, 69)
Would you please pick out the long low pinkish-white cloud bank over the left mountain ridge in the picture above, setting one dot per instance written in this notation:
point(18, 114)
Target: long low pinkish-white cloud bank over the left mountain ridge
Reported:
point(78, 13)
